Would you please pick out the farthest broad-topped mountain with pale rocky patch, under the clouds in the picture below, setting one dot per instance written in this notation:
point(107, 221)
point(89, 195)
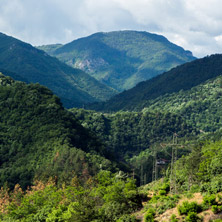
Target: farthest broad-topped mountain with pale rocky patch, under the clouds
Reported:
point(121, 59)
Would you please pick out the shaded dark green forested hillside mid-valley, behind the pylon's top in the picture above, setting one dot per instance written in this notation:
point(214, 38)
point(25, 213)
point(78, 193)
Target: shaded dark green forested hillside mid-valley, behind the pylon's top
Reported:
point(129, 133)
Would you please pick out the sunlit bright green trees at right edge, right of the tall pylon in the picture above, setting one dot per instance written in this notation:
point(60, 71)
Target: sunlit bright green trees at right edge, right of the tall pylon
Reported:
point(202, 167)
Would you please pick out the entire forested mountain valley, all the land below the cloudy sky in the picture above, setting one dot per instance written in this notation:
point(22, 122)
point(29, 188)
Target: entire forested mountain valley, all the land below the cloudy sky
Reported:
point(72, 148)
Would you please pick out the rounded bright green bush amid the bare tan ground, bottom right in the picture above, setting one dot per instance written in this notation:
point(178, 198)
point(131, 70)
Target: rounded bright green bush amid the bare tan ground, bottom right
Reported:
point(187, 208)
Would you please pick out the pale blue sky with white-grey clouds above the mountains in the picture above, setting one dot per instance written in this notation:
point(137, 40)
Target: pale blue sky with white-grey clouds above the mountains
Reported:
point(196, 25)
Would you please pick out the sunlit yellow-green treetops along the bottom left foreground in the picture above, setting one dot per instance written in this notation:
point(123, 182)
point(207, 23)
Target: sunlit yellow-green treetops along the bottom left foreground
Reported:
point(94, 201)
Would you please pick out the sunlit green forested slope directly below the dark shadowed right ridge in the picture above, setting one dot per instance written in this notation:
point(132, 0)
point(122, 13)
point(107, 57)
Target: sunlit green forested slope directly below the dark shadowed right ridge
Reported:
point(200, 106)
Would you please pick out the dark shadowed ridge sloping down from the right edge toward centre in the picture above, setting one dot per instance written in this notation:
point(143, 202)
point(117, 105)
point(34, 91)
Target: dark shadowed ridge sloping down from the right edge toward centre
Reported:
point(183, 77)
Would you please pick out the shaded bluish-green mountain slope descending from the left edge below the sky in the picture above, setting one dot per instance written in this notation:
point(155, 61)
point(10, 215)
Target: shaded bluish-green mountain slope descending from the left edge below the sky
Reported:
point(73, 86)
